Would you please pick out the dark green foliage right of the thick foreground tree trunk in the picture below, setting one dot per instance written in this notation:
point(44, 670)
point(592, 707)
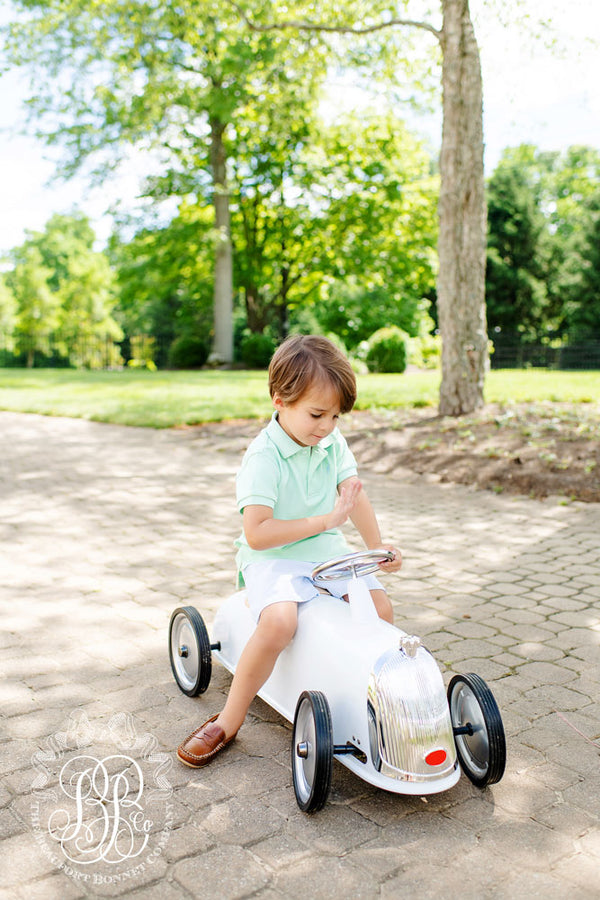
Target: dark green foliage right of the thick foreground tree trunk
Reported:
point(542, 261)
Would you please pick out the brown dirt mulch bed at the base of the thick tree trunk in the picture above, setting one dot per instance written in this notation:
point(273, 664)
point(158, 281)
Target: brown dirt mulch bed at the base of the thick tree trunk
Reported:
point(539, 450)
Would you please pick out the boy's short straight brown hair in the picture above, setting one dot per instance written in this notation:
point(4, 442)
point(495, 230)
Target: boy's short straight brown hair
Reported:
point(306, 359)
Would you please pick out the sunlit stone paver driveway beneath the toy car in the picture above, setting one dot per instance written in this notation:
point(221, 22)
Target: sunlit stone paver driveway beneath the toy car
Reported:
point(105, 530)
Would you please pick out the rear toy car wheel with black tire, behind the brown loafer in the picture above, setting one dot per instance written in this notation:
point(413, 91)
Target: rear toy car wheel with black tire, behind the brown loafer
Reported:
point(192, 677)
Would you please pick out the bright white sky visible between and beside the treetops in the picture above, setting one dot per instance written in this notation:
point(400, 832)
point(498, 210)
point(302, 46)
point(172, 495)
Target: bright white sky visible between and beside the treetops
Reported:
point(532, 95)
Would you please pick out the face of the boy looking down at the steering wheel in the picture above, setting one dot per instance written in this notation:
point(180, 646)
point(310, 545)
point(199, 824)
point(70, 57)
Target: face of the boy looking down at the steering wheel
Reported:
point(310, 418)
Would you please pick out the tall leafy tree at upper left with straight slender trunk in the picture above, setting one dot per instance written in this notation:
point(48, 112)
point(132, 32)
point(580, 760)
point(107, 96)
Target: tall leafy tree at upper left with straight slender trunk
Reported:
point(170, 78)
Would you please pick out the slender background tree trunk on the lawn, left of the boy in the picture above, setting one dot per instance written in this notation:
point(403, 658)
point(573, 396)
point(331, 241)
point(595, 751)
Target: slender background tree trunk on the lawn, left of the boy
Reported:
point(223, 285)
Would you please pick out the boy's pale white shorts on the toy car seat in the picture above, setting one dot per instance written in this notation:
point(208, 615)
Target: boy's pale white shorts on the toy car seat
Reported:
point(277, 580)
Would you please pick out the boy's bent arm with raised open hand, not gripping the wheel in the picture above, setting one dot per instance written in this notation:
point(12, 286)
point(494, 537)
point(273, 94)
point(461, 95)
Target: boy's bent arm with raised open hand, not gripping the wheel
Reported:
point(264, 532)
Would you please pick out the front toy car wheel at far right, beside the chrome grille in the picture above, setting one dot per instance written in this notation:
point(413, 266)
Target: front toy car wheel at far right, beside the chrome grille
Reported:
point(482, 756)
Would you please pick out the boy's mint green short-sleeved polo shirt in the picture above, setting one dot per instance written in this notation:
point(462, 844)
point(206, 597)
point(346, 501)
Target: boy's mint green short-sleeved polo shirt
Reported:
point(295, 482)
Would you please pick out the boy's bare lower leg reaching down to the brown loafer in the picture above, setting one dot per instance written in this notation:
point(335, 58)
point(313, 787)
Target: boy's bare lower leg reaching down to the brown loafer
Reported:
point(276, 628)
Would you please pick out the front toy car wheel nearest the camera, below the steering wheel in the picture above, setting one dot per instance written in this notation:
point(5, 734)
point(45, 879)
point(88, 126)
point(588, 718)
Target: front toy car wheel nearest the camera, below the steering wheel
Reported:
point(312, 775)
